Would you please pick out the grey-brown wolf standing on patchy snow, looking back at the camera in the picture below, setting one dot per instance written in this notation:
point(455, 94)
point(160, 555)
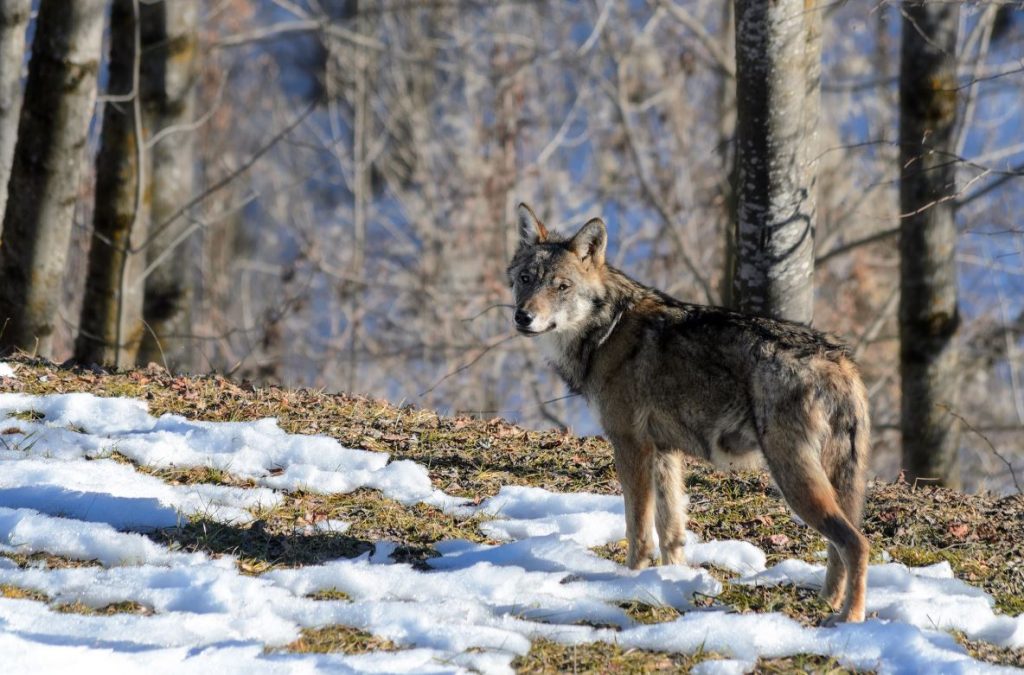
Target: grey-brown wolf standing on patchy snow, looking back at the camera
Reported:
point(668, 378)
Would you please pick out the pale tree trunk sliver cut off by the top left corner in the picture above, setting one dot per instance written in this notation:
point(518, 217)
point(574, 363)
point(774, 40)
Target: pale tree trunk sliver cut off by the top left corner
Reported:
point(14, 21)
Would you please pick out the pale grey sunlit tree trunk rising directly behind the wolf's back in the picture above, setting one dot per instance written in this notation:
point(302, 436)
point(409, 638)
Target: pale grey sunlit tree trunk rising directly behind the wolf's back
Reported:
point(779, 65)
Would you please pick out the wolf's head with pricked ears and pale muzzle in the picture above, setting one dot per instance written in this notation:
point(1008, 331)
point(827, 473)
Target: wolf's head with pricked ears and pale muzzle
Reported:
point(558, 282)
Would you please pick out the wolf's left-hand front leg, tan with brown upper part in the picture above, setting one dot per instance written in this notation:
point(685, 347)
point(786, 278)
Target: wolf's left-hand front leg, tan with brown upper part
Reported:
point(633, 463)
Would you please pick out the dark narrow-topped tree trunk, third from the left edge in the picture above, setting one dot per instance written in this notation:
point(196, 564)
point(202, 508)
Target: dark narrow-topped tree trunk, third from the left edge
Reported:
point(111, 326)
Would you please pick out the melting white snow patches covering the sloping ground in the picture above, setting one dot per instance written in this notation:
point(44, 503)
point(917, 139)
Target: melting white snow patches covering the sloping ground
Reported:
point(478, 608)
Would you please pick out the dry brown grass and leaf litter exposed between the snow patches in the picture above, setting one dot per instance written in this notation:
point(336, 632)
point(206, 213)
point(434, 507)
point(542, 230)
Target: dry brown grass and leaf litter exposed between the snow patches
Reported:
point(983, 537)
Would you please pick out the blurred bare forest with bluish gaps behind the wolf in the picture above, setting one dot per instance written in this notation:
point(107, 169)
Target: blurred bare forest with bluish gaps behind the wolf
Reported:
point(325, 191)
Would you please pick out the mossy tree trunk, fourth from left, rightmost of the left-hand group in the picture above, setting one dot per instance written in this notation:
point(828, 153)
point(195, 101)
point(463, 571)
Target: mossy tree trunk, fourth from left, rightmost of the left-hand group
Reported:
point(169, 74)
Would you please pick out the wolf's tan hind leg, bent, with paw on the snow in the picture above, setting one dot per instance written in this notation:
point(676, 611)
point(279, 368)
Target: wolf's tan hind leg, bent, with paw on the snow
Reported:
point(794, 462)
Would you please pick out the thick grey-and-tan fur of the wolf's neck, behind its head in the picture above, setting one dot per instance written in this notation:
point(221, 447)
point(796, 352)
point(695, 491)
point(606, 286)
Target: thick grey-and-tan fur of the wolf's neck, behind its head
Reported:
point(573, 353)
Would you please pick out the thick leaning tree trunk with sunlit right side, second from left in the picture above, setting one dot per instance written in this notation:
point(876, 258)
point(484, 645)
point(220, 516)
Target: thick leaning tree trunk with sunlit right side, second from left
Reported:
point(60, 97)
